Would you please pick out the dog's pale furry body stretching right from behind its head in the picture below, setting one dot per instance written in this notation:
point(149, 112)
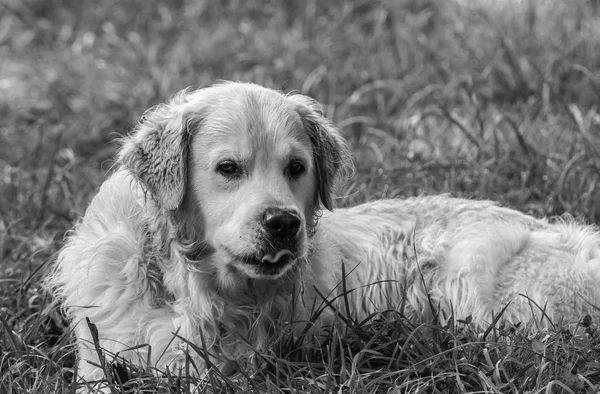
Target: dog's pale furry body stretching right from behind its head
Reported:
point(472, 258)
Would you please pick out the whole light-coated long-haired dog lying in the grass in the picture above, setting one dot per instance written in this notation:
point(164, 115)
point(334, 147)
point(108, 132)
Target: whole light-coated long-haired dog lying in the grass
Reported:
point(217, 225)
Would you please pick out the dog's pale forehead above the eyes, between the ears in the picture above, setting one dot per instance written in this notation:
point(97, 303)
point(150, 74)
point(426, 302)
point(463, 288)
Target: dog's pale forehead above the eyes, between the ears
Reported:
point(248, 124)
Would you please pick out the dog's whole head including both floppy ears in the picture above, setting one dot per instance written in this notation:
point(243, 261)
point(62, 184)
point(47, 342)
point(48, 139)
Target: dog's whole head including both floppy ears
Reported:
point(247, 166)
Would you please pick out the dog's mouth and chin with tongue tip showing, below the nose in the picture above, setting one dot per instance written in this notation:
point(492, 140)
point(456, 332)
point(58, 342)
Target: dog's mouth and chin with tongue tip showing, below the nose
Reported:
point(270, 266)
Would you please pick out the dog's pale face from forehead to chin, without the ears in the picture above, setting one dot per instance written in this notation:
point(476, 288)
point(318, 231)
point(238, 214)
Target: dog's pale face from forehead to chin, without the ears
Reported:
point(252, 172)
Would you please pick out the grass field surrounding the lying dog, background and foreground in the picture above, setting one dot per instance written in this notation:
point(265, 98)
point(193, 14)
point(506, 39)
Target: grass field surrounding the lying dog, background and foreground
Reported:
point(484, 99)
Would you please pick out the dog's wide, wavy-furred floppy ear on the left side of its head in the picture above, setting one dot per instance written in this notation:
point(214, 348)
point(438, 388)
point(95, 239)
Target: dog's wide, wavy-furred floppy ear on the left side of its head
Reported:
point(156, 153)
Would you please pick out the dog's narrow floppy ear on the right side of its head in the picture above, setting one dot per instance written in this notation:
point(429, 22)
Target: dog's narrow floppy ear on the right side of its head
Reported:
point(330, 152)
